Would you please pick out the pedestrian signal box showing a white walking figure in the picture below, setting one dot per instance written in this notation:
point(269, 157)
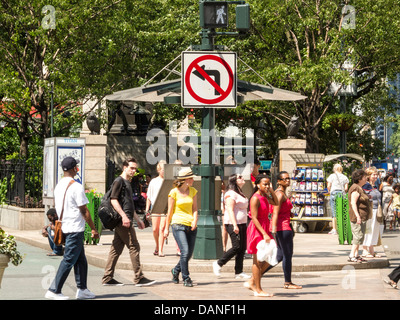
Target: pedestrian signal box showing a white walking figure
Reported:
point(214, 14)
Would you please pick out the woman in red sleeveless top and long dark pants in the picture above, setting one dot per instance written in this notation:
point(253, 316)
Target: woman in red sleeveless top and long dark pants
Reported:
point(282, 230)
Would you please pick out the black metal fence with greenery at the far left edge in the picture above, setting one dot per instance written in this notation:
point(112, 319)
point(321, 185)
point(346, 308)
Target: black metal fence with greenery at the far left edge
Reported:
point(21, 183)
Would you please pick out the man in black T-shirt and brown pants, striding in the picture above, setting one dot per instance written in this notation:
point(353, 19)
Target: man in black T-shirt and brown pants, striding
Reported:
point(124, 234)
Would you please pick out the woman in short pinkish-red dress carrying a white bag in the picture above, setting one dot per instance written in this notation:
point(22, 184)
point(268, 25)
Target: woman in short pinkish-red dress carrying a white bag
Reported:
point(258, 230)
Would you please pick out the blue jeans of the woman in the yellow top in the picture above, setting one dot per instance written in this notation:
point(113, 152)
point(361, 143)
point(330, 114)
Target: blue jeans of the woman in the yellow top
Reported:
point(185, 238)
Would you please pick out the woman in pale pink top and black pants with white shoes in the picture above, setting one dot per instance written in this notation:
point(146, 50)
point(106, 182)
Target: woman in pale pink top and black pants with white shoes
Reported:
point(235, 221)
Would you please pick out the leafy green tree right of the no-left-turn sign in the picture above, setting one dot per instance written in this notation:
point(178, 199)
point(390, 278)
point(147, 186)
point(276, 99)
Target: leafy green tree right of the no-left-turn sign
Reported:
point(301, 45)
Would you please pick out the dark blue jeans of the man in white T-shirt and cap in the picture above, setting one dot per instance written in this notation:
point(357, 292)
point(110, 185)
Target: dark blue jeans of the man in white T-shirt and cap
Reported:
point(74, 256)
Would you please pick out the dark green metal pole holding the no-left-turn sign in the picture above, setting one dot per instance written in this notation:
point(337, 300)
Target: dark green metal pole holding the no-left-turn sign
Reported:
point(209, 237)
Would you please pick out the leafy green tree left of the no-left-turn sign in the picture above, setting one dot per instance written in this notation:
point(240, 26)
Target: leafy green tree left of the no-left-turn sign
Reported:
point(87, 49)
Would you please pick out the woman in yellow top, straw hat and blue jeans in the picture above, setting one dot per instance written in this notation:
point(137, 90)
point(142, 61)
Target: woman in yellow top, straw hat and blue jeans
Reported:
point(182, 216)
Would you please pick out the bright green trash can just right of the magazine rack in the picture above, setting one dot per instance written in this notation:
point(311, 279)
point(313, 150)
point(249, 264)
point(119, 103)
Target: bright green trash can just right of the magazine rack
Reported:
point(342, 218)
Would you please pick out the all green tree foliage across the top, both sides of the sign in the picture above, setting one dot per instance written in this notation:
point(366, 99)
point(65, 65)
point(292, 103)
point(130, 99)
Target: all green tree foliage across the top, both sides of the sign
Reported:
point(99, 47)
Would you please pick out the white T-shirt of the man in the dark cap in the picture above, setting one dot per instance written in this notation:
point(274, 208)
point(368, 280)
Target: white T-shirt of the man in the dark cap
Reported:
point(73, 220)
